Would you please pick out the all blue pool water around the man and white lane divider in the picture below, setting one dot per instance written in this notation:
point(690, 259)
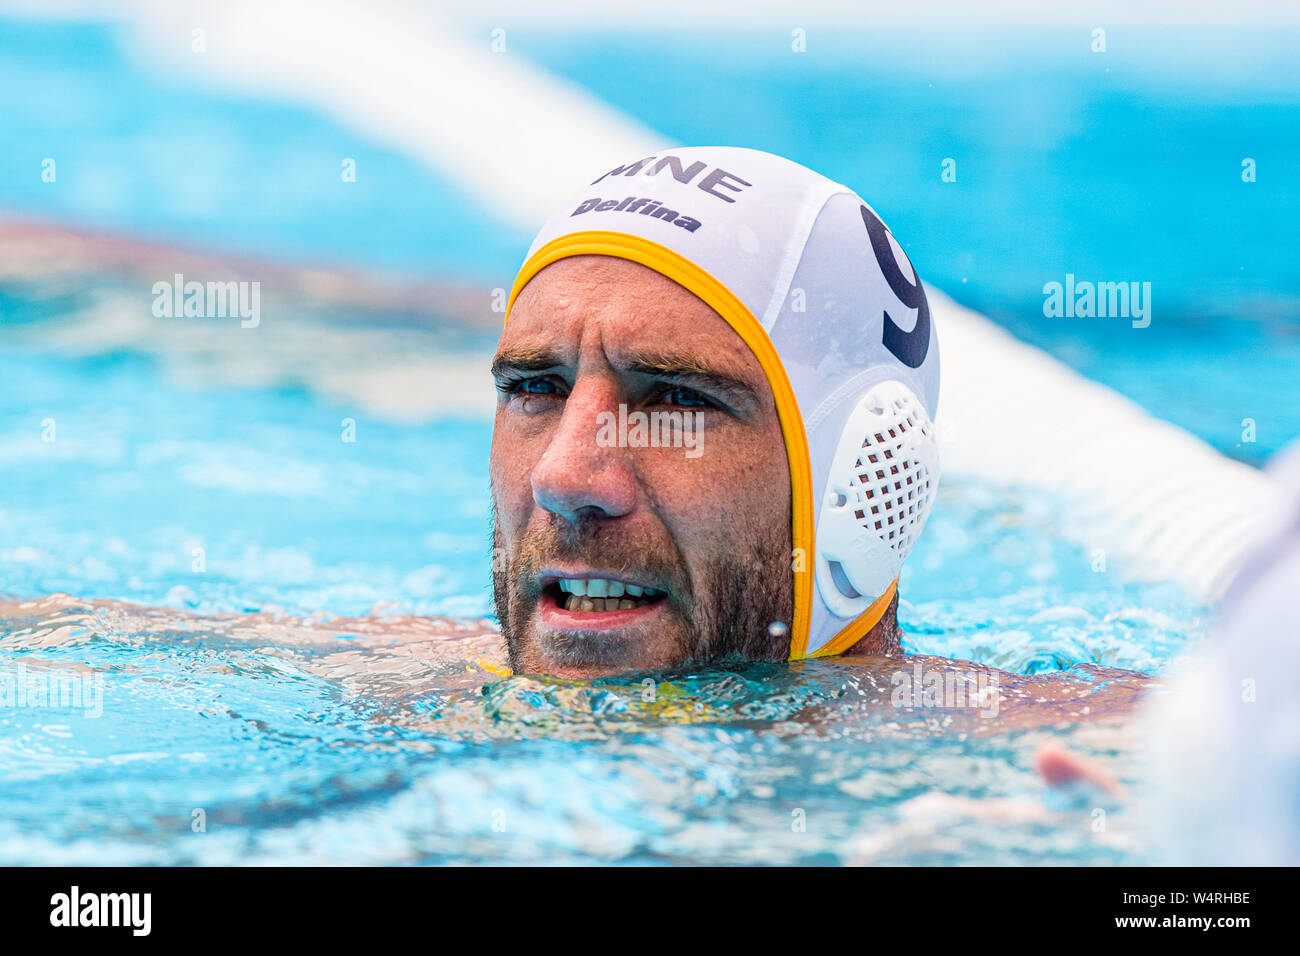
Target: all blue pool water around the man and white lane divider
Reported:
point(164, 448)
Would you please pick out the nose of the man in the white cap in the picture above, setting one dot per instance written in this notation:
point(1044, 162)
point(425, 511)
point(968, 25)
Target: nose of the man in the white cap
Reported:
point(579, 477)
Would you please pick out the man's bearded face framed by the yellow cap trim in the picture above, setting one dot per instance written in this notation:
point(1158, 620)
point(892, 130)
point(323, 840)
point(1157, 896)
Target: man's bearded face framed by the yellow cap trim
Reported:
point(699, 526)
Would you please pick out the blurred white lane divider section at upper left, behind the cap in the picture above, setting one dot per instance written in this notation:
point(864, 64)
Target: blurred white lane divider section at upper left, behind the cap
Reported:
point(506, 132)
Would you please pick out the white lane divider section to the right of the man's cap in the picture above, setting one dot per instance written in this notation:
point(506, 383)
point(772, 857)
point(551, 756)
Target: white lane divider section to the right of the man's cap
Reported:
point(1169, 503)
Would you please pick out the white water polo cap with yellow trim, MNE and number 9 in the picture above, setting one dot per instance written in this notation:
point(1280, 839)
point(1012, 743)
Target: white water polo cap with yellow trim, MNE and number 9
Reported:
point(825, 297)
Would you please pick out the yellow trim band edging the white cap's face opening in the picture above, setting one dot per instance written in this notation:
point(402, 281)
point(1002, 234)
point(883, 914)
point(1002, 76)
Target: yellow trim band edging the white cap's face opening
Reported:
point(723, 301)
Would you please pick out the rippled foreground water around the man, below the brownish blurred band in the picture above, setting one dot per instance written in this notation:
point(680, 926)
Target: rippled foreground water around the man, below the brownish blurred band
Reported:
point(294, 756)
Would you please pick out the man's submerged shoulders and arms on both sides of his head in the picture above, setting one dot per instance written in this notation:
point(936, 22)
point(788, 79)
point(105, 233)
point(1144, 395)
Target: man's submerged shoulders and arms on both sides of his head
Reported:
point(396, 659)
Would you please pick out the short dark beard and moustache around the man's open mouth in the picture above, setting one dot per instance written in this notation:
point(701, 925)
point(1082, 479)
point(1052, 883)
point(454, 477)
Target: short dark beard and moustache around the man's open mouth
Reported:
point(725, 613)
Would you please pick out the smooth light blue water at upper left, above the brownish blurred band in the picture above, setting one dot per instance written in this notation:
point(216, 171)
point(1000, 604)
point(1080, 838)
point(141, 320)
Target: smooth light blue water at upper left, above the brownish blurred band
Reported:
point(171, 162)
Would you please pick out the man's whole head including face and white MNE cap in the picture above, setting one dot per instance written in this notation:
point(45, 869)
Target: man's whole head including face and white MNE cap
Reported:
point(712, 438)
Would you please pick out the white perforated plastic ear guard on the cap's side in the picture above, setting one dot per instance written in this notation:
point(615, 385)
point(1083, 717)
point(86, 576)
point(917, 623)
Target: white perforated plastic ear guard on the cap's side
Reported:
point(882, 485)
